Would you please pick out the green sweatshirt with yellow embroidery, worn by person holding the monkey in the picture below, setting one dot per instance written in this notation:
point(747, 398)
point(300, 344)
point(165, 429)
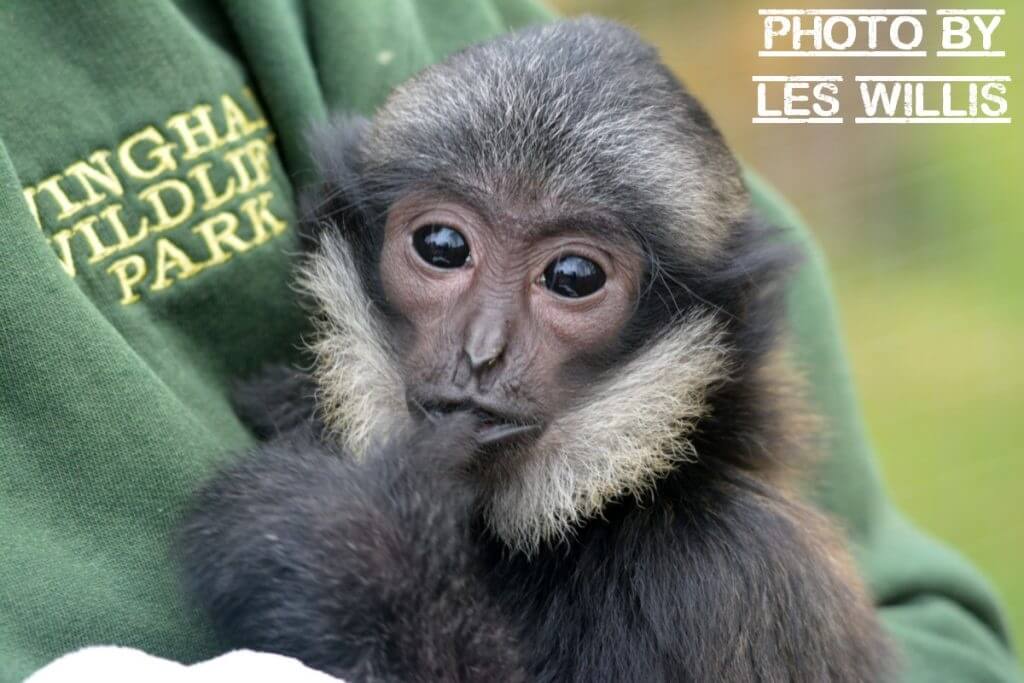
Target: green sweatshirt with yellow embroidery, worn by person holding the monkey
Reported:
point(149, 155)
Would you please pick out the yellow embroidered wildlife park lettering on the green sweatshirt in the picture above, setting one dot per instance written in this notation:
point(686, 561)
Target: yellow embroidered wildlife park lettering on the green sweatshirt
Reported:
point(168, 202)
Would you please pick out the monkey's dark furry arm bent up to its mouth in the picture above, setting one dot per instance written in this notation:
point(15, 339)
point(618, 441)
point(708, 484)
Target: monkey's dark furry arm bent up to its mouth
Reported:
point(366, 571)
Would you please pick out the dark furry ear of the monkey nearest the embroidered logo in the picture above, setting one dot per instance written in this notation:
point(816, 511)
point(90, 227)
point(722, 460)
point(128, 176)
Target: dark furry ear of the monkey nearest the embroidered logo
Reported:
point(336, 198)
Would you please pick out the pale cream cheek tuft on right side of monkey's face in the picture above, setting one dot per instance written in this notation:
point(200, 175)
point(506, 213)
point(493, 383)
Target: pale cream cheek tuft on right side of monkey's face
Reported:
point(631, 431)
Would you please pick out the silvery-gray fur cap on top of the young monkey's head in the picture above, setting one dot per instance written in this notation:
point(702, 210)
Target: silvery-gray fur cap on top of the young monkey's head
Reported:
point(591, 97)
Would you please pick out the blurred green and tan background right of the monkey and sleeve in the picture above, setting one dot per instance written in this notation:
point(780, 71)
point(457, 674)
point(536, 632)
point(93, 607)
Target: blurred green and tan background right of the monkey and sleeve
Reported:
point(924, 229)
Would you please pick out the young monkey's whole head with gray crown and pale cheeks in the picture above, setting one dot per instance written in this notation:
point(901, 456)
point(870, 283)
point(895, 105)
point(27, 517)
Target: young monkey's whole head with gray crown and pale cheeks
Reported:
point(546, 231)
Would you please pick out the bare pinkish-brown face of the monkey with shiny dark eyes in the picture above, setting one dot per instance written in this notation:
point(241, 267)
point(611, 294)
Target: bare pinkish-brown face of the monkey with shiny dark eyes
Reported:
point(504, 314)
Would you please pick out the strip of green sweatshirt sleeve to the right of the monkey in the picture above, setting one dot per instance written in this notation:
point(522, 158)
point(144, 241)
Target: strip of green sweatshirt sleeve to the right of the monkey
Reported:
point(938, 609)
